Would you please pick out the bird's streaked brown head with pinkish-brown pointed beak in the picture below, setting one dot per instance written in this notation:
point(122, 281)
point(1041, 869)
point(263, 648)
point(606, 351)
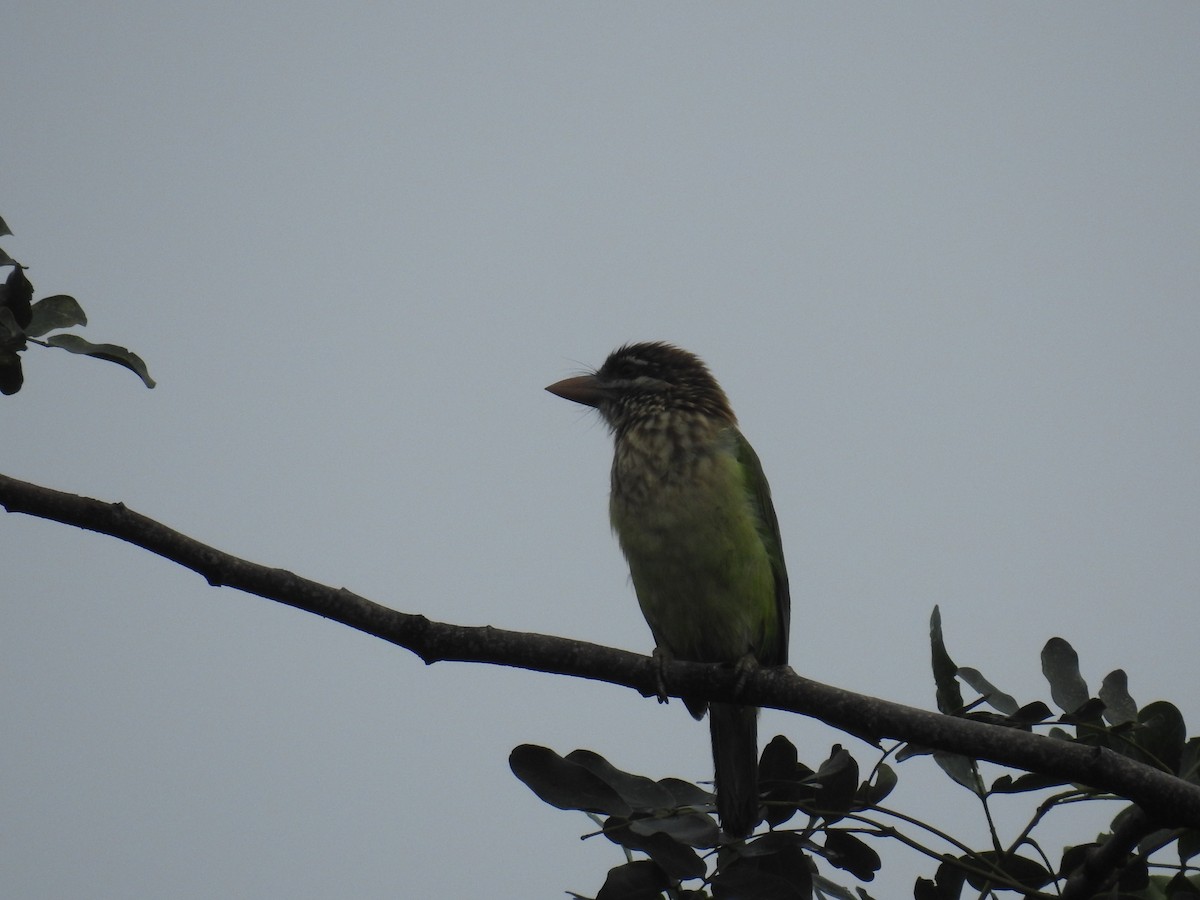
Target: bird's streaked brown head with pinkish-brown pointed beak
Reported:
point(643, 382)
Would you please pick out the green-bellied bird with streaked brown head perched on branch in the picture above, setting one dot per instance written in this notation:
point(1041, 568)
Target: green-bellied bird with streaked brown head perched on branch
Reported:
point(693, 514)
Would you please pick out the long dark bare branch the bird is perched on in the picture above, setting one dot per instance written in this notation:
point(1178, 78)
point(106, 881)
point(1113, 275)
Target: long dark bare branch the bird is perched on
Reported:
point(1167, 800)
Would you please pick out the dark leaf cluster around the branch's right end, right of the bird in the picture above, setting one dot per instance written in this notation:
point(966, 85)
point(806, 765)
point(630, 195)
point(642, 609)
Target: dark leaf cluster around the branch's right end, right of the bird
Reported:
point(1154, 736)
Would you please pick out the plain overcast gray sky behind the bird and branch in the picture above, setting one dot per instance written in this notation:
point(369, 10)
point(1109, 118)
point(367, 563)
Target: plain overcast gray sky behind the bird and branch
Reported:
point(945, 263)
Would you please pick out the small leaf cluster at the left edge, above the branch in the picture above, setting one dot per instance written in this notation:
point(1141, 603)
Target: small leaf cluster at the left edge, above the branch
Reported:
point(25, 322)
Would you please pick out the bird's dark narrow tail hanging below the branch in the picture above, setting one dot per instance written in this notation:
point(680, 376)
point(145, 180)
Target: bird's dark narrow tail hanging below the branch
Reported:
point(735, 730)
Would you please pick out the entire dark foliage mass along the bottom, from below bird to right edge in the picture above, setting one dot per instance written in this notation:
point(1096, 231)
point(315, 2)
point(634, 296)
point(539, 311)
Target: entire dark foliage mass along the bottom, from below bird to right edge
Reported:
point(830, 815)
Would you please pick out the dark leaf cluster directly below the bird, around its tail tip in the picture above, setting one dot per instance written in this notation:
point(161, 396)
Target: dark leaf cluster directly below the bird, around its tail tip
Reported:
point(673, 824)
